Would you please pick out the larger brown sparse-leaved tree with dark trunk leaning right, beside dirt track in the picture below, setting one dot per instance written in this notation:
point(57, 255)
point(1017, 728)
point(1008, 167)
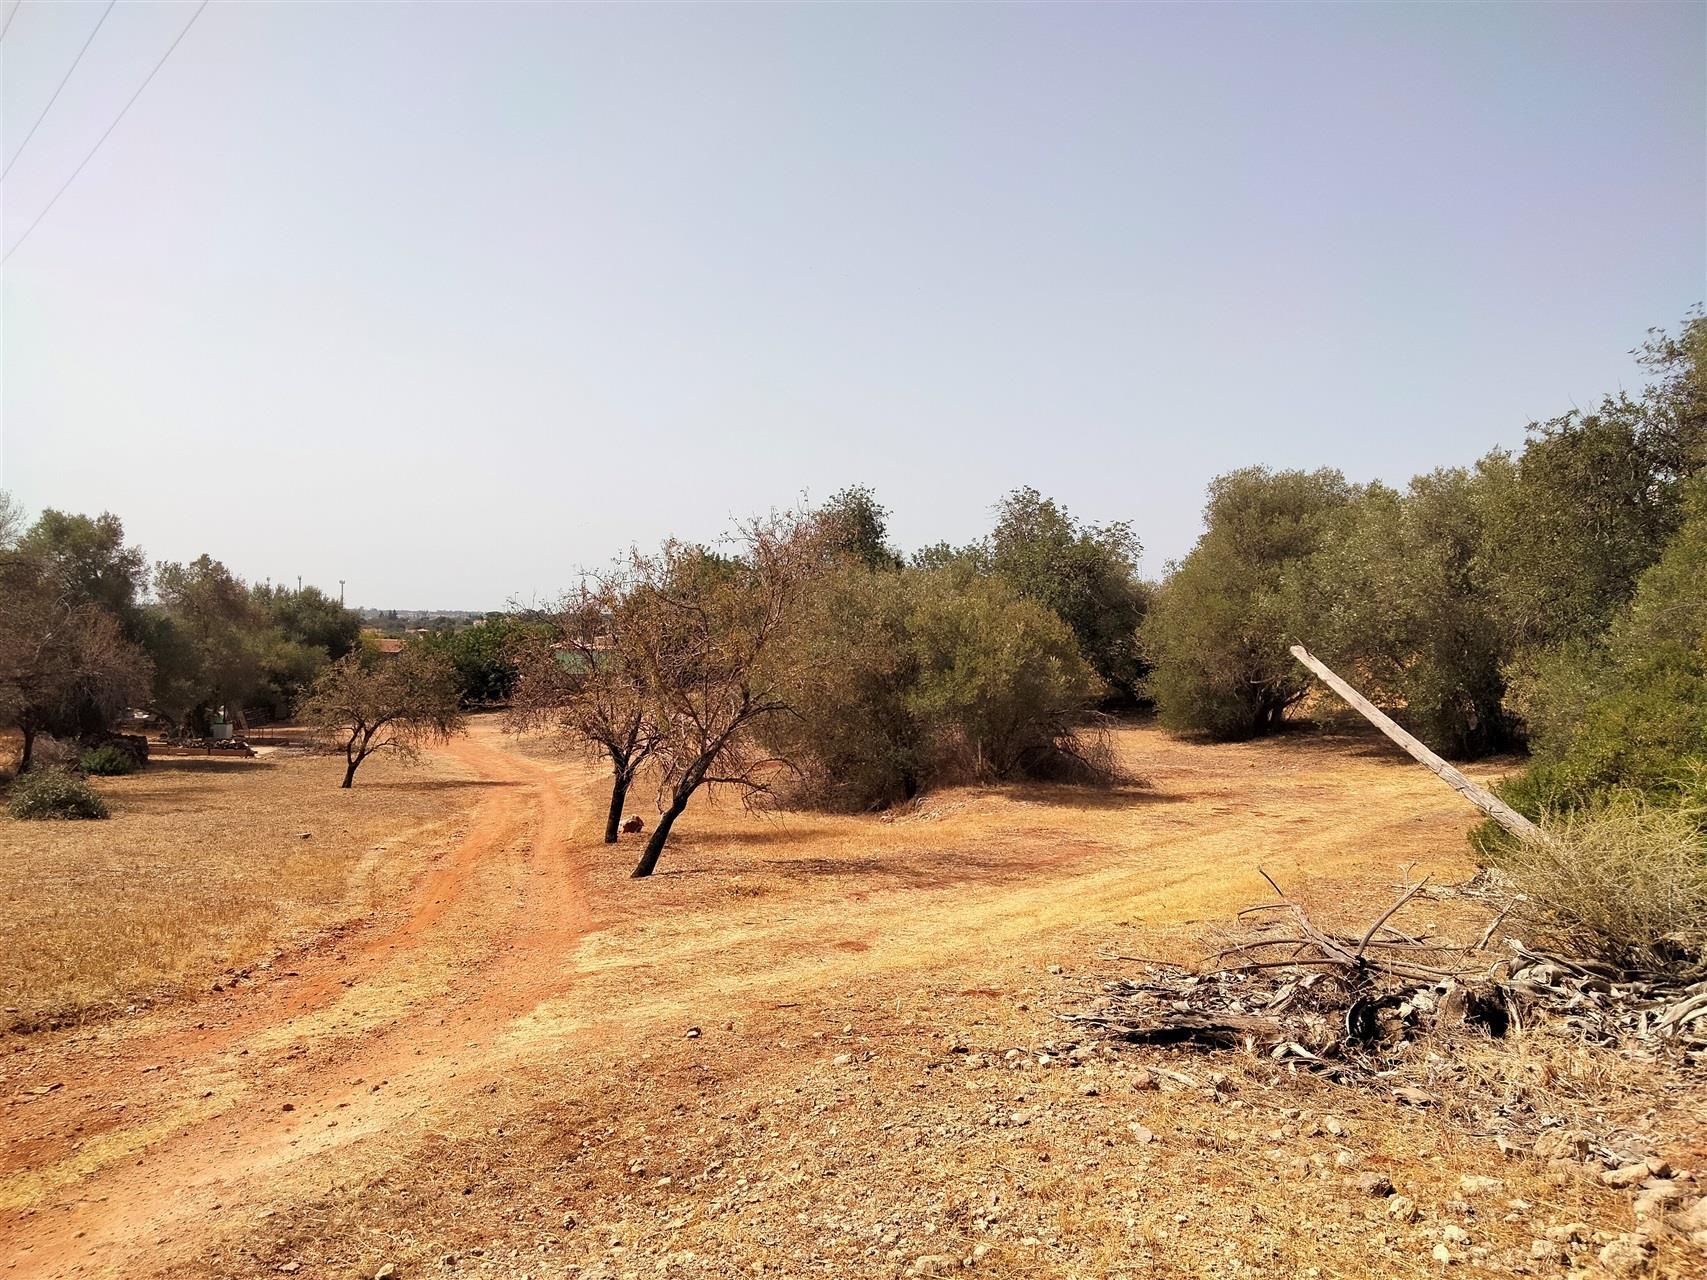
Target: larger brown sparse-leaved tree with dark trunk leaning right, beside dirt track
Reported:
point(699, 632)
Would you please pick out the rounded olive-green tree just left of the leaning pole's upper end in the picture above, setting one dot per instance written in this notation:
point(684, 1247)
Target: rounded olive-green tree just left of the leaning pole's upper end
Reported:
point(1220, 627)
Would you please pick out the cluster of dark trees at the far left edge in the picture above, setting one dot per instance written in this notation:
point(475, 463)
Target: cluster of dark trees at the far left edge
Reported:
point(91, 631)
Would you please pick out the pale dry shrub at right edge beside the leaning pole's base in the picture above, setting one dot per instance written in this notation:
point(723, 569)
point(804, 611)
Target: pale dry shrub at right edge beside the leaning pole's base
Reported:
point(1624, 881)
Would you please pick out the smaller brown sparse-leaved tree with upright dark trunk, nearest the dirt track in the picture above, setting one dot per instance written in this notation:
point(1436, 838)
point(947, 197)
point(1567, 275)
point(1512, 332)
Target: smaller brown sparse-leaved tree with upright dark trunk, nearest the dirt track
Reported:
point(583, 685)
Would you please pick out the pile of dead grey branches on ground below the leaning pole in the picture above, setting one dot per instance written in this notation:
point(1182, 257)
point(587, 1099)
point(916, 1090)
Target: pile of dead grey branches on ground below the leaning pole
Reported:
point(1361, 1006)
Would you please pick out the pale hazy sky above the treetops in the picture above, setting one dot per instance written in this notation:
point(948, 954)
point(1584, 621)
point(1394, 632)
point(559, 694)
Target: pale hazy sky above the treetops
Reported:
point(453, 301)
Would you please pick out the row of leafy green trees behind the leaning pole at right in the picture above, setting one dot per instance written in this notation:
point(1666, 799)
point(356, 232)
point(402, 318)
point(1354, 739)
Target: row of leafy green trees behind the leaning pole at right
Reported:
point(1546, 598)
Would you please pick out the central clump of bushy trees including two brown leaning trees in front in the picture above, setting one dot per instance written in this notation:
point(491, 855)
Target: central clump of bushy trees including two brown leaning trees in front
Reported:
point(812, 663)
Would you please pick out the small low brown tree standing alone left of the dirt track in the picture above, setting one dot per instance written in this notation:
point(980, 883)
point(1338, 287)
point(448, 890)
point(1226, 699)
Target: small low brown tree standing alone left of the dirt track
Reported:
point(361, 707)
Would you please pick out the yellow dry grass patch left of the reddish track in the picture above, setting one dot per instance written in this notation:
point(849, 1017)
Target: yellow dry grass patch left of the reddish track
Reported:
point(204, 868)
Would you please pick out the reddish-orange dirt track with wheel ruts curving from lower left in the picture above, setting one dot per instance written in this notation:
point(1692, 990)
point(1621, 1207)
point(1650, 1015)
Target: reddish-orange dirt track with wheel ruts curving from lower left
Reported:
point(194, 1120)
